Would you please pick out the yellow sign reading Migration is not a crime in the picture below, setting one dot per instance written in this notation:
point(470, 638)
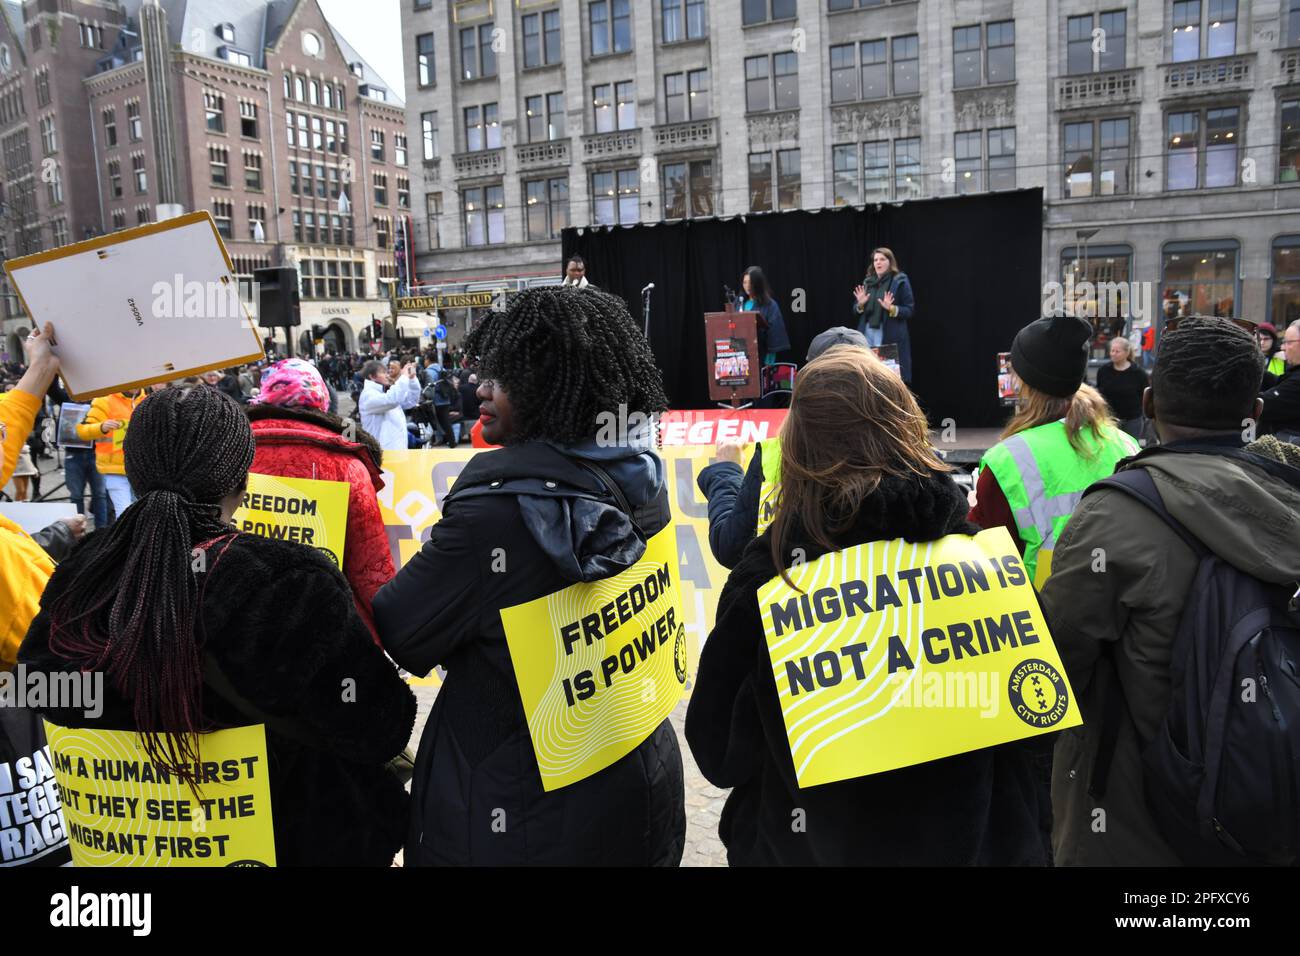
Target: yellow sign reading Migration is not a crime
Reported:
point(895, 654)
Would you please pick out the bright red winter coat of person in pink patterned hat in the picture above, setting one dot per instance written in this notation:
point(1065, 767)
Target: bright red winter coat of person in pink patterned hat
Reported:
point(296, 443)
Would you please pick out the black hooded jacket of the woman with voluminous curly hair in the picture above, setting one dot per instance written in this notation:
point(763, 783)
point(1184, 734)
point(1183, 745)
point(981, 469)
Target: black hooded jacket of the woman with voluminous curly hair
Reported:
point(478, 795)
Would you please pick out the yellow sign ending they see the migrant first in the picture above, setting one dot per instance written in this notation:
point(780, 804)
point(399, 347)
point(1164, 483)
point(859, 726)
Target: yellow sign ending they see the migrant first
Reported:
point(122, 810)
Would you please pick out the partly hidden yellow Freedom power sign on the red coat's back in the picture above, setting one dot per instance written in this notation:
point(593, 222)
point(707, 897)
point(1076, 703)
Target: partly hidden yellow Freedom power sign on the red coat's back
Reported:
point(305, 511)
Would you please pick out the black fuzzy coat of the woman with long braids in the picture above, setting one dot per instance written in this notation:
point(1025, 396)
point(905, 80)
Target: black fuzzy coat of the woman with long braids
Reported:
point(281, 628)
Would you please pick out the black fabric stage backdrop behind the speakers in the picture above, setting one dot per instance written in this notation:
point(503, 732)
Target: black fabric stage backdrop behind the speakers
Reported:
point(974, 262)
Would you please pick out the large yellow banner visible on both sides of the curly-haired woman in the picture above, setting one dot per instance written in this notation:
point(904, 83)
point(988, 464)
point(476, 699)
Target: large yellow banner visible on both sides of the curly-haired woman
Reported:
point(417, 483)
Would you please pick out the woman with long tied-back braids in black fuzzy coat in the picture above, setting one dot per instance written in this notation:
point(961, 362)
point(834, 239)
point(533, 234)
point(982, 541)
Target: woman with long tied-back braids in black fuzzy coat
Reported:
point(197, 629)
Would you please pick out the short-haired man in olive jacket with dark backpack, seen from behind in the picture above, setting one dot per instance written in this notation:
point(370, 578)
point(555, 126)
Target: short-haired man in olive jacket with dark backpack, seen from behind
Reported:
point(1173, 605)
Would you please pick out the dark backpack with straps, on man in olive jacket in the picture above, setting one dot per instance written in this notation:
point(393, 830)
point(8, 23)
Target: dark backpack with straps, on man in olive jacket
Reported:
point(1221, 776)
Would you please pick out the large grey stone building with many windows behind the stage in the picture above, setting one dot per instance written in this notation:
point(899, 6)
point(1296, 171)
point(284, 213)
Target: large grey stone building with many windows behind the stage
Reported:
point(1164, 133)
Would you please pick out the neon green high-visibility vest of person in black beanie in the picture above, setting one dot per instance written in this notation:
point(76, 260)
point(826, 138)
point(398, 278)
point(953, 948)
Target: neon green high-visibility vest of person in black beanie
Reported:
point(1045, 478)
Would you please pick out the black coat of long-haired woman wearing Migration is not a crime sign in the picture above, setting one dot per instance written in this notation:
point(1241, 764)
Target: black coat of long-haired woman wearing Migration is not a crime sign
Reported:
point(973, 810)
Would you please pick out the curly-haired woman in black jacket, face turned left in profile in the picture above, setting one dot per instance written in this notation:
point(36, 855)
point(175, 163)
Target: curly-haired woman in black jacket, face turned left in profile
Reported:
point(561, 503)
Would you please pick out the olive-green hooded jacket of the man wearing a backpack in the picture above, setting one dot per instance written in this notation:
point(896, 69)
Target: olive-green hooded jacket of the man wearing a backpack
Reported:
point(1121, 625)
